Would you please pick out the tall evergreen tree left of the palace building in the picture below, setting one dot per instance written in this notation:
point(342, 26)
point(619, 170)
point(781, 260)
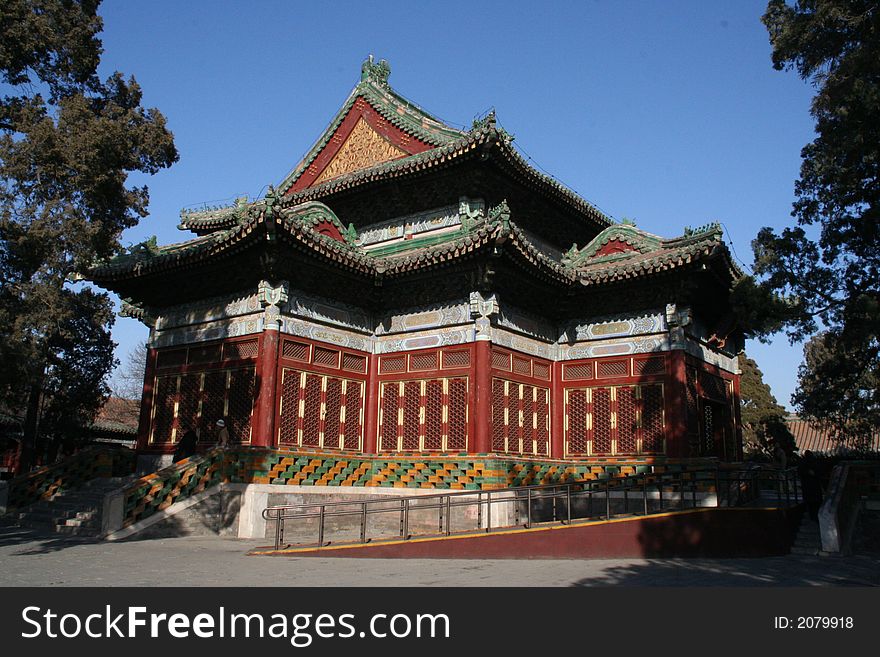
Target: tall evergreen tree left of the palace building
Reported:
point(68, 141)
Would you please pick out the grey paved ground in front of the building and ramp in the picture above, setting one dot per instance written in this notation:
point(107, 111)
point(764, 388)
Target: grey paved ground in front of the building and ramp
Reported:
point(29, 559)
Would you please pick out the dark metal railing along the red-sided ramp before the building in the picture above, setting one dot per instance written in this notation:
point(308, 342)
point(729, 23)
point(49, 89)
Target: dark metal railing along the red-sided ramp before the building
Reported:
point(568, 502)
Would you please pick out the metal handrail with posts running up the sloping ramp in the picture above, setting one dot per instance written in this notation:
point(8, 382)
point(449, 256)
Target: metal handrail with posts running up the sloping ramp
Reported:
point(741, 487)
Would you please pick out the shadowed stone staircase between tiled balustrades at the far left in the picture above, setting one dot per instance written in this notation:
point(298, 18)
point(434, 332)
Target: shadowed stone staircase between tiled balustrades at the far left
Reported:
point(74, 512)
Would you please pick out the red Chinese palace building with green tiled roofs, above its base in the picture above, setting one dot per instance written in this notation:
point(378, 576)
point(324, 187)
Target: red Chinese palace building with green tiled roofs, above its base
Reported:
point(412, 288)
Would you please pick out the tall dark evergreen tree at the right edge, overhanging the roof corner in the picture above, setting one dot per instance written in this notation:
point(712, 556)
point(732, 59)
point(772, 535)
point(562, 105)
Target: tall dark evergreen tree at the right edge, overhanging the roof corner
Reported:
point(827, 267)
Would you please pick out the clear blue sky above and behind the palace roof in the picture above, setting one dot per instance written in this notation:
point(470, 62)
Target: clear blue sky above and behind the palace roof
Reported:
point(669, 113)
